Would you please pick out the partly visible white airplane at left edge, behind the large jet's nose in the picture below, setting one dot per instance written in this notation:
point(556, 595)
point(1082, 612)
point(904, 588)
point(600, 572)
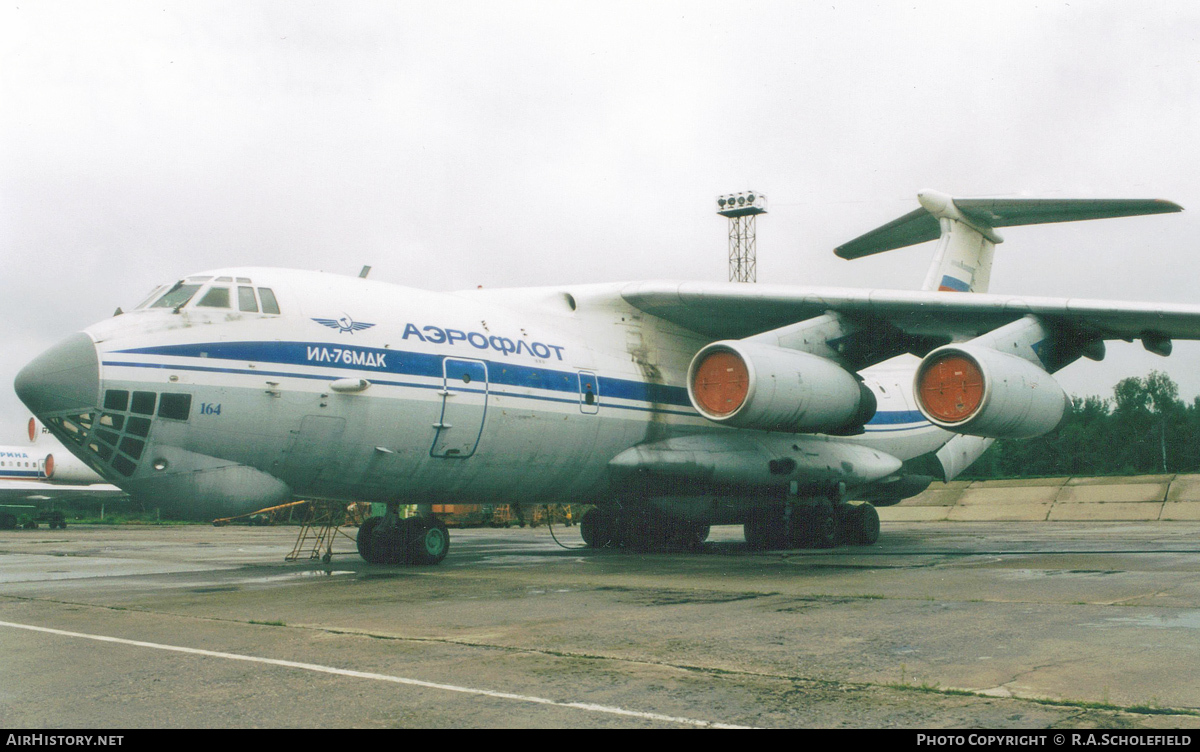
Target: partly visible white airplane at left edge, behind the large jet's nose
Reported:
point(34, 476)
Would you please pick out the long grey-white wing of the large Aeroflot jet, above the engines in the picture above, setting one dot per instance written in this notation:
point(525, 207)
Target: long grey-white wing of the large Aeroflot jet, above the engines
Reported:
point(733, 311)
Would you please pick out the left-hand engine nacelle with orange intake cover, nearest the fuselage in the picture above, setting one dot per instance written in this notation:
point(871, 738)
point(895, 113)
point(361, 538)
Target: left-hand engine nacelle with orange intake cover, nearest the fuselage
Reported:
point(755, 386)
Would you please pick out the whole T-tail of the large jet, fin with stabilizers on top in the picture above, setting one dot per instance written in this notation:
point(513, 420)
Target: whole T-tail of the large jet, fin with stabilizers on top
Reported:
point(965, 228)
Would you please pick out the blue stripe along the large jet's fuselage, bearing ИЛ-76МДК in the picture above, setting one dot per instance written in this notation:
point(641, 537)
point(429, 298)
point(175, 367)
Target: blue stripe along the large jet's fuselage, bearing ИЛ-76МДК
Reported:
point(377, 360)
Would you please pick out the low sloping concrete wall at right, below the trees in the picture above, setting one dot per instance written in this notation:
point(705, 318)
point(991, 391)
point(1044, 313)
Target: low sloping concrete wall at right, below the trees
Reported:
point(1057, 500)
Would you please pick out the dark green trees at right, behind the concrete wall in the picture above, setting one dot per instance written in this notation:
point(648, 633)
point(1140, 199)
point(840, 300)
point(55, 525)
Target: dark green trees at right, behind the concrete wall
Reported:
point(1143, 429)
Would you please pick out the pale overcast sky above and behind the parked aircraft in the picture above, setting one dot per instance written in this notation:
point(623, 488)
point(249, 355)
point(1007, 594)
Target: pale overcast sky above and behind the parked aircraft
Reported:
point(455, 145)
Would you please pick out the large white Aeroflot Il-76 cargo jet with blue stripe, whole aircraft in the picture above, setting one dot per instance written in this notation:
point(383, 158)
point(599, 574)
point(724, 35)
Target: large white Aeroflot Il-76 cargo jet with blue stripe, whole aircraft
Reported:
point(671, 407)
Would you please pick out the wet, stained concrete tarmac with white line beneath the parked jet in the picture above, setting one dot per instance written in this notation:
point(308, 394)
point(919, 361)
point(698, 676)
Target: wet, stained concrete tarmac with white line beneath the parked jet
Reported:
point(939, 625)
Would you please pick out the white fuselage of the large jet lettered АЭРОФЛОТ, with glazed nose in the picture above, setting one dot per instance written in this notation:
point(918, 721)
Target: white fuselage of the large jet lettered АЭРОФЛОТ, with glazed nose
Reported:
point(217, 398)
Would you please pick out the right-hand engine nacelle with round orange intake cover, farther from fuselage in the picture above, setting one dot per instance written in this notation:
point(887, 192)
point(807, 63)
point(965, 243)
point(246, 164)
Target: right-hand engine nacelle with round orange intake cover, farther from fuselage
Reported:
point(979, 392)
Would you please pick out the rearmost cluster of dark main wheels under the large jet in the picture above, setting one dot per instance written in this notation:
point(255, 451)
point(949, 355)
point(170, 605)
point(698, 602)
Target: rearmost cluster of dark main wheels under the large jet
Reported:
point(813, 525)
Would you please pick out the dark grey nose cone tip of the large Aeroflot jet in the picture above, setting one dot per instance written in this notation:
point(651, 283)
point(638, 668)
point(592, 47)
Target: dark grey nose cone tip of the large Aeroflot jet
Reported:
point(64, 378)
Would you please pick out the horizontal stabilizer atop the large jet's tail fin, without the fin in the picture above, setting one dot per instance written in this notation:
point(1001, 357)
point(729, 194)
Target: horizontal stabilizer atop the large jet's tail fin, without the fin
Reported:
point(923, 225)
